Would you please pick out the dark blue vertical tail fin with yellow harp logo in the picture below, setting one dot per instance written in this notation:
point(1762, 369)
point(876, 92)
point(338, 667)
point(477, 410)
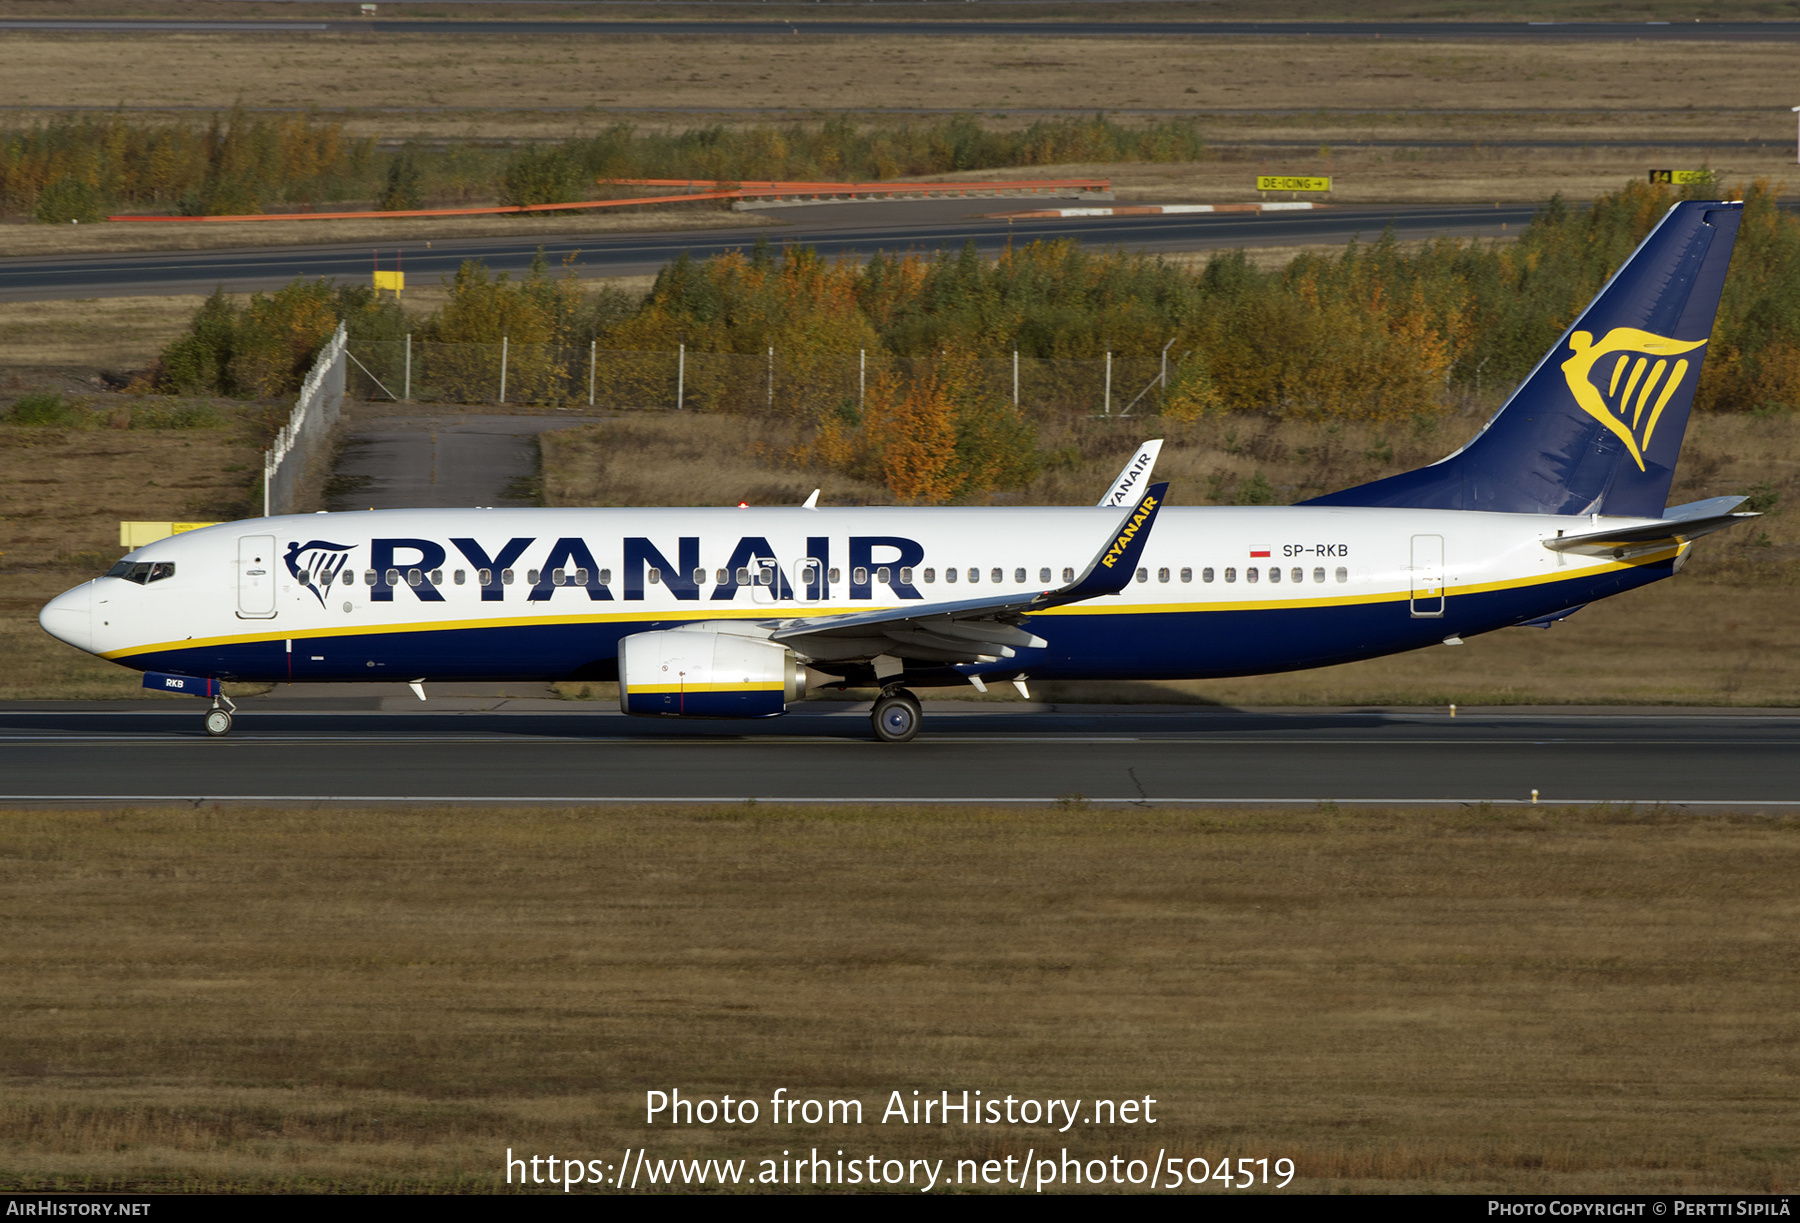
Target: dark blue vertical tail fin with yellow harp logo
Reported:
point(1597, 426)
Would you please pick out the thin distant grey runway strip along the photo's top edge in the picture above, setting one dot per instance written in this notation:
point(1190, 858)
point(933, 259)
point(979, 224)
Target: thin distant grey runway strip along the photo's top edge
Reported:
point(777, 26)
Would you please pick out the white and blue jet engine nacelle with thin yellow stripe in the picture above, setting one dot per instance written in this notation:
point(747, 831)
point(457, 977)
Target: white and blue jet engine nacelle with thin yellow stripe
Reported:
point(685, 673)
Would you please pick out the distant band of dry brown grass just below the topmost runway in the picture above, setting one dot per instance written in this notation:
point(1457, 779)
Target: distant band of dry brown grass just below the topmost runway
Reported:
point(827, 73)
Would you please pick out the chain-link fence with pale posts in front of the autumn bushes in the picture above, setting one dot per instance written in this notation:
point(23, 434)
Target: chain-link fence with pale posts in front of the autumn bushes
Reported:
point(728, 383)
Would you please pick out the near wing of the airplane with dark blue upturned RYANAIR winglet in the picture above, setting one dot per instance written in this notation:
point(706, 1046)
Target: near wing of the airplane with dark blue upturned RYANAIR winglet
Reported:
point(975, 630)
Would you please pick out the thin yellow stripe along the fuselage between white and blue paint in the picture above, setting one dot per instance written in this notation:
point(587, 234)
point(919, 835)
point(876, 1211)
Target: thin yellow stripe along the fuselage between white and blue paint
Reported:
point(764, 613)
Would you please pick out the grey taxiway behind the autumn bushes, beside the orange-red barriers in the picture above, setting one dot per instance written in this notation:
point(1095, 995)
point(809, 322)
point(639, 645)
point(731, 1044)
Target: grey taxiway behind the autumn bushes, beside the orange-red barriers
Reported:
point(834, 231)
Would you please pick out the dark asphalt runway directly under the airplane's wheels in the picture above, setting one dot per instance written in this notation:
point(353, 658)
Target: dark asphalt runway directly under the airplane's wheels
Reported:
point(561, 752)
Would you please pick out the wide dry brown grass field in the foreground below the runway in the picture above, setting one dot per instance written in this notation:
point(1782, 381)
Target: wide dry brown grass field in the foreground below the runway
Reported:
point(1443, 1001)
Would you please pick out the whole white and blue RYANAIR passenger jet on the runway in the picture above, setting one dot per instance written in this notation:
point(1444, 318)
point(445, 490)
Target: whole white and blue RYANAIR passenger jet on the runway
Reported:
point(1560, 502)
